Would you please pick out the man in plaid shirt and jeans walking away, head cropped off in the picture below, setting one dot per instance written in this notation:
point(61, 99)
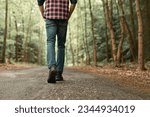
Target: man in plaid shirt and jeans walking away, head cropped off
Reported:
point(56, 14)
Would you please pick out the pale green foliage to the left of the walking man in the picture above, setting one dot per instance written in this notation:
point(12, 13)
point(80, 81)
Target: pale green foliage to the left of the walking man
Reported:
point(24, 31)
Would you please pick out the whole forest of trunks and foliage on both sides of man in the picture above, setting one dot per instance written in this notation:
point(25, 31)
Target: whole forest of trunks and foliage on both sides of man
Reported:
point(99, 32)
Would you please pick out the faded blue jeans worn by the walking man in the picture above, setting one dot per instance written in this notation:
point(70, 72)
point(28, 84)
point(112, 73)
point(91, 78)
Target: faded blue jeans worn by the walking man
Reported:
point(56, 28)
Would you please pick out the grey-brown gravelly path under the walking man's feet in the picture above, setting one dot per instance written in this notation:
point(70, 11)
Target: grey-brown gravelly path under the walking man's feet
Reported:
point(31, 84)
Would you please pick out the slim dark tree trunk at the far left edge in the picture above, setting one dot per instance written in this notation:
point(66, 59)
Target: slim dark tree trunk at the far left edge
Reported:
point(5, 32)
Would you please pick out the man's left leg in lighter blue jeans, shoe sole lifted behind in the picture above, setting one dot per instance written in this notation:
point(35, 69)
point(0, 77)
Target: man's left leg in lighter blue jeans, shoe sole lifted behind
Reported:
point(51, 29)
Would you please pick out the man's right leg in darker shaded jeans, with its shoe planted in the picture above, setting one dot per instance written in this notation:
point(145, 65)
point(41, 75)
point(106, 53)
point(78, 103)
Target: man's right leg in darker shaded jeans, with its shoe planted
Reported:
point(61, 33)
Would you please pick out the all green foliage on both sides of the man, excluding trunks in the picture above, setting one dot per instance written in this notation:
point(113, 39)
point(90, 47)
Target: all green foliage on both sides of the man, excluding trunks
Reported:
point(26, 35)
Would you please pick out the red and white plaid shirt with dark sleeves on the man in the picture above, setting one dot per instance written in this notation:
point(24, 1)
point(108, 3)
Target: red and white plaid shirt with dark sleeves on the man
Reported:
point(56, 9)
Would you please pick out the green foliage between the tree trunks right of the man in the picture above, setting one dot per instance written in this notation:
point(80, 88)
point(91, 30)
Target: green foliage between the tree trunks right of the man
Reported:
point(78, 28)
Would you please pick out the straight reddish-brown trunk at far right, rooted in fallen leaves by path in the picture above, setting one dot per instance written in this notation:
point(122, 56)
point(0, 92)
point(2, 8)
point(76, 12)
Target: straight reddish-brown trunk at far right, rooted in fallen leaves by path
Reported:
point(140, 36)
